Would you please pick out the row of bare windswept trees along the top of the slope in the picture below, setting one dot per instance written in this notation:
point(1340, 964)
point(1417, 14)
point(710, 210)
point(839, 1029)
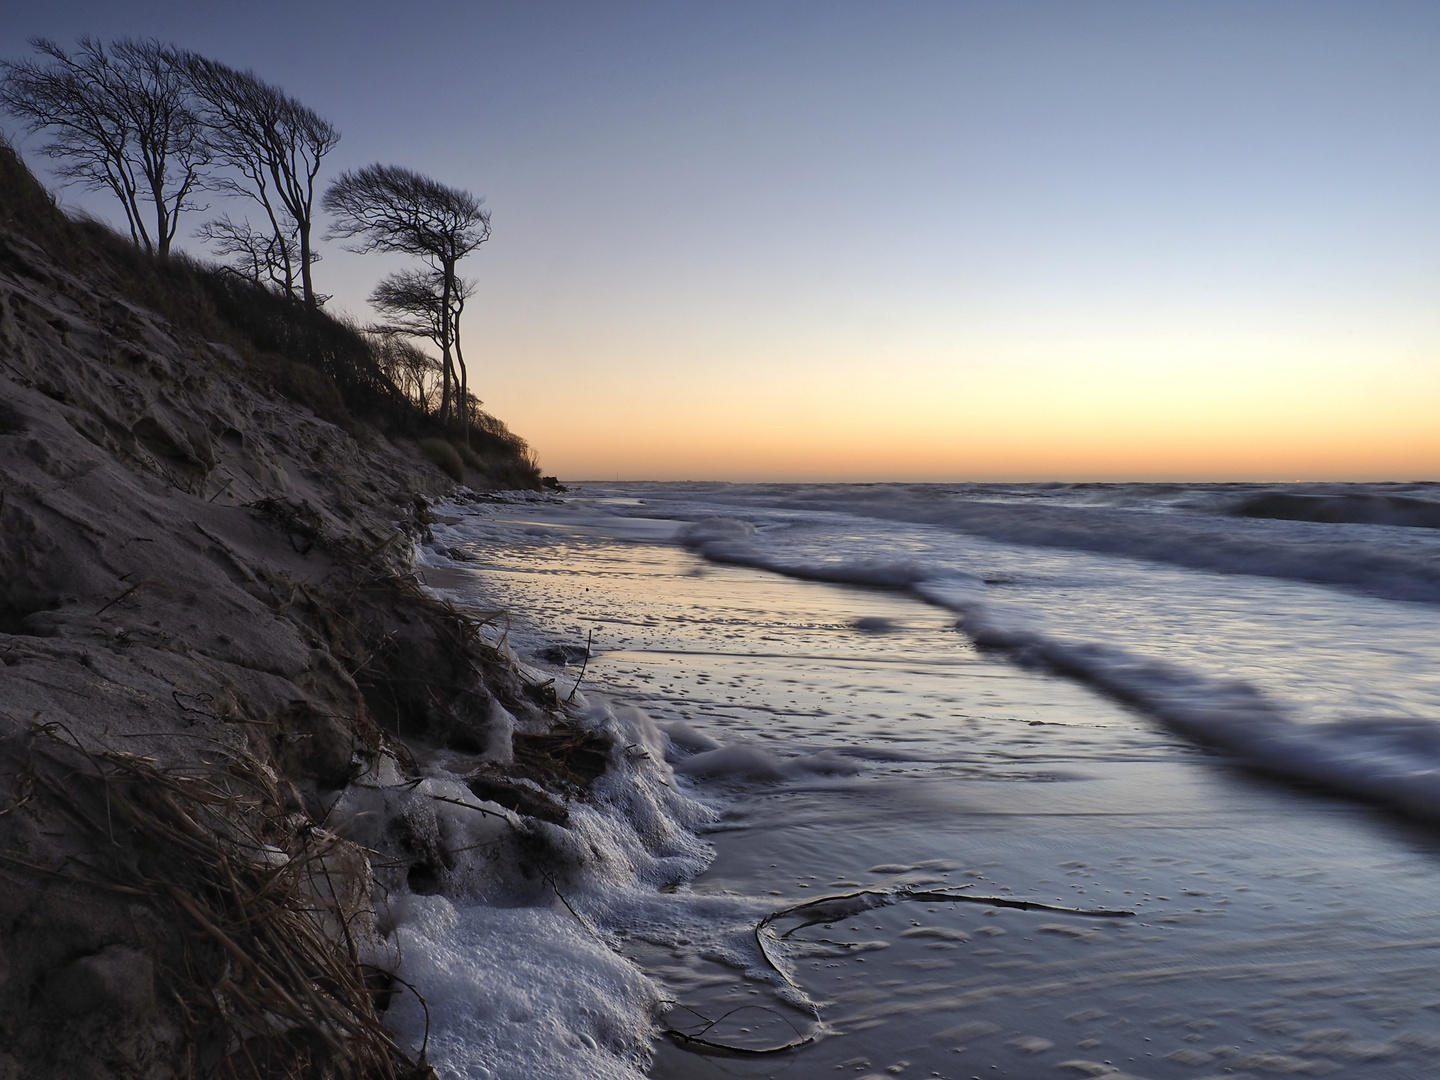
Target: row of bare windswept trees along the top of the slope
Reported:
point(156, 126)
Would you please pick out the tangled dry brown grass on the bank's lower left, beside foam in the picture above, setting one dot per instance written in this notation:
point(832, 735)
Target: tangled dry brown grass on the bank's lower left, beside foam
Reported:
point(267, 976)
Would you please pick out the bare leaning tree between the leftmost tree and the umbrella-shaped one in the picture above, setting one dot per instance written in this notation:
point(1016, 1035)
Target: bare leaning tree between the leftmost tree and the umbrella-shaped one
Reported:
point(276, 148)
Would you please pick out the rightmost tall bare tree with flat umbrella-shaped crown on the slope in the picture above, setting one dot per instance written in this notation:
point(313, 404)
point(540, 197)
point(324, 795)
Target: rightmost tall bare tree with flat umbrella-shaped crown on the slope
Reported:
point(395, 210)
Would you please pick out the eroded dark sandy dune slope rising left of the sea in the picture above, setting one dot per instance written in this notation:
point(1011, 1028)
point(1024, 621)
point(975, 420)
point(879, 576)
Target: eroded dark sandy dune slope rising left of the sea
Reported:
point(210, 631)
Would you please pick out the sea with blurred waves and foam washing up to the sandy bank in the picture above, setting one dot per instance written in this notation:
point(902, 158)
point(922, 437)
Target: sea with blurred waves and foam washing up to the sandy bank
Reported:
point(951, 781)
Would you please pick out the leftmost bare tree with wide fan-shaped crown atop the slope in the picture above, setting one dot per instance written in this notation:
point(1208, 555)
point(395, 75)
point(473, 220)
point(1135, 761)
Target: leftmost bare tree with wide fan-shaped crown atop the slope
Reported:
point(119, 120)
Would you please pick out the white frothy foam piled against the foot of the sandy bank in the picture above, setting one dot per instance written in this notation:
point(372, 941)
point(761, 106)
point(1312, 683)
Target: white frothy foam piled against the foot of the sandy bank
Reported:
point(516, 960)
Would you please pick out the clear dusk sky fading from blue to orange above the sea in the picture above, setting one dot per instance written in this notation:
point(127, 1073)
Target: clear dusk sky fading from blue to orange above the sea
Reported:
point(899, 241)
